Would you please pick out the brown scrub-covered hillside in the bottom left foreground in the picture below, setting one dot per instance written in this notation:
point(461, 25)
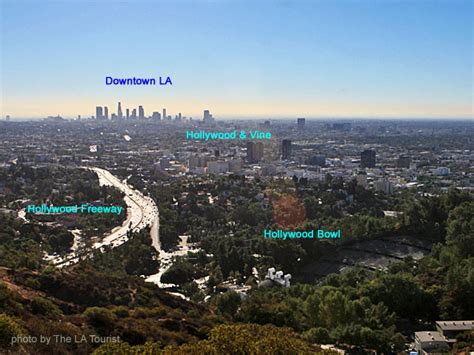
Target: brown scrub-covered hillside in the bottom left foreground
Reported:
point(73, 303)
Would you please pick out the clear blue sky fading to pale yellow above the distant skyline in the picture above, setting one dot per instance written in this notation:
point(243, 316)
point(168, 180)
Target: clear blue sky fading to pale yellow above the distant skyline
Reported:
point(370, 58)
